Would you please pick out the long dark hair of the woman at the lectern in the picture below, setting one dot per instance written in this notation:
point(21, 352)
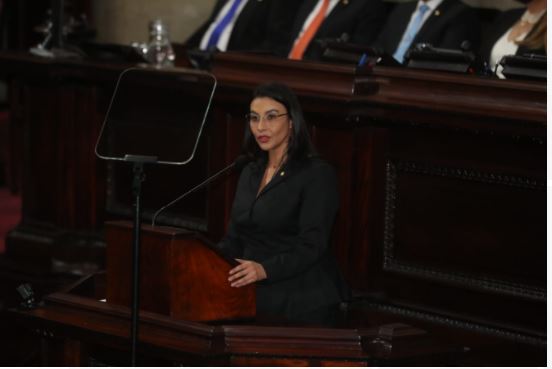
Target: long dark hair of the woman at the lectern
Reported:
point(300, 145)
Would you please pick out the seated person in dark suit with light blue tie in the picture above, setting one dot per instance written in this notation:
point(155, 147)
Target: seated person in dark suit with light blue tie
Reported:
point(444, 24)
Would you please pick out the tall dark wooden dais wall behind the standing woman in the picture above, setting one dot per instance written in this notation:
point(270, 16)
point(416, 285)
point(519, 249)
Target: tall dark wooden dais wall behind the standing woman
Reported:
point(441, 178)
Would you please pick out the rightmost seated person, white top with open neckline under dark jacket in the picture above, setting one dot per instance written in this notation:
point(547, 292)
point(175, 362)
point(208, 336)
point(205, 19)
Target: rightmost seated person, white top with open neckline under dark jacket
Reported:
point(517, 32)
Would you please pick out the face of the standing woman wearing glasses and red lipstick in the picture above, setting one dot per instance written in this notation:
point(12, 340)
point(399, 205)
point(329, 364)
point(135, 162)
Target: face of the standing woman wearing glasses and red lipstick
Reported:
point(270, 124)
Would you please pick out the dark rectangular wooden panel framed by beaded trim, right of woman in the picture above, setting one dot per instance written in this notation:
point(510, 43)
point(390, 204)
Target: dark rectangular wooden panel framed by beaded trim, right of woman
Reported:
point(475, 250)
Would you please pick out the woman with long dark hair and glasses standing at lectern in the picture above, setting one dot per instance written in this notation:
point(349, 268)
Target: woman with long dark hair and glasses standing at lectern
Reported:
point(283, 213)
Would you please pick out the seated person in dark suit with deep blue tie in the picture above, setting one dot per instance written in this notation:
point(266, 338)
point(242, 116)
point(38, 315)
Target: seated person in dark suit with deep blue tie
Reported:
point(247, 25)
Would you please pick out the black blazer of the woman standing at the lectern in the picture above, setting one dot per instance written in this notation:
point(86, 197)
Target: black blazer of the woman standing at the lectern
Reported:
point(286, 228)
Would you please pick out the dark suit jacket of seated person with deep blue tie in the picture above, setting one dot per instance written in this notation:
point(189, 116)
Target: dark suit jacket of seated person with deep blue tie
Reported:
point(263, 25)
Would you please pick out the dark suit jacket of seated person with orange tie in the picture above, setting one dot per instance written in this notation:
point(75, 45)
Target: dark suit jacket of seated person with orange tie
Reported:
point(355, 21)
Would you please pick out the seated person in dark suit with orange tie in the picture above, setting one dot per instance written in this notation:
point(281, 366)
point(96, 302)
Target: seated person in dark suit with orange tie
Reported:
point(355, 21)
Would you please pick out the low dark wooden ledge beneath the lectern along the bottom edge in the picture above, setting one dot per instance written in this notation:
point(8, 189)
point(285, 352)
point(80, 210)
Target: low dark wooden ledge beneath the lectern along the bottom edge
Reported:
point(75, 321)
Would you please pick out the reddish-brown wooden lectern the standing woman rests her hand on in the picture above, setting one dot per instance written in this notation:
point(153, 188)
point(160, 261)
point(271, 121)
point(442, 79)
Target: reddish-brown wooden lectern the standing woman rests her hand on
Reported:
point(181, 276)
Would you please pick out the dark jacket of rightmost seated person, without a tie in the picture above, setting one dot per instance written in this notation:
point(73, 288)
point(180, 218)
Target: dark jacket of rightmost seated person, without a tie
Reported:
point(503, 23)
